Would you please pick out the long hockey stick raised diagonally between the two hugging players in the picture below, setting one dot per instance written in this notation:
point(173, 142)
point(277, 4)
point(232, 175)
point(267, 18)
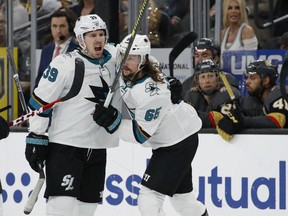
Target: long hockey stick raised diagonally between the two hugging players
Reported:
point(118, 73)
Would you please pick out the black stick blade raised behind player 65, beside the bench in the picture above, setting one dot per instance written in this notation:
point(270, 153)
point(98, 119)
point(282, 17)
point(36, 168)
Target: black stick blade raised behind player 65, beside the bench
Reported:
point(178, 49)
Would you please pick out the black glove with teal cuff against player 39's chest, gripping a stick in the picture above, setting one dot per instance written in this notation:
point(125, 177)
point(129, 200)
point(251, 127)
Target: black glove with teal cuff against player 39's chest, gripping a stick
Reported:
point(109, 118)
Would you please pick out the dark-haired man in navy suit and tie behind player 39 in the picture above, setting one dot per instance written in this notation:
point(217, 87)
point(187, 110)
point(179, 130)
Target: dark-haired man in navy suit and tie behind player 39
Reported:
point(62, 24)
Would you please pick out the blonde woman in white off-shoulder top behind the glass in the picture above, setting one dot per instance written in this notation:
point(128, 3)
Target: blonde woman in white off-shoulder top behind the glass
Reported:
point(237, 34)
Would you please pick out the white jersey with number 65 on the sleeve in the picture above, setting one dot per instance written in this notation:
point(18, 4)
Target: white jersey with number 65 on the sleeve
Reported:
point(155, 118)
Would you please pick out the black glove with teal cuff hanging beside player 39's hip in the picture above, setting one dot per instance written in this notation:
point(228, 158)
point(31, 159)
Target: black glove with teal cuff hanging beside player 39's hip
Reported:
point(36, 150)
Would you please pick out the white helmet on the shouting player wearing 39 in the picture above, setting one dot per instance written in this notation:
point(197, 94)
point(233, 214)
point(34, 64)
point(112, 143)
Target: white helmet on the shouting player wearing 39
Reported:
point(86, 24)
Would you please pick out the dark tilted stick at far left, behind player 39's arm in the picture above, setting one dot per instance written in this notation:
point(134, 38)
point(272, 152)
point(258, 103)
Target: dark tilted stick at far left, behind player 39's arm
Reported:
point(17, 81)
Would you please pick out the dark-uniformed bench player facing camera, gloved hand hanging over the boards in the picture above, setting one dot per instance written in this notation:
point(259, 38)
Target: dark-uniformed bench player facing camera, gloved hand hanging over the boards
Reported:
point(211, 100)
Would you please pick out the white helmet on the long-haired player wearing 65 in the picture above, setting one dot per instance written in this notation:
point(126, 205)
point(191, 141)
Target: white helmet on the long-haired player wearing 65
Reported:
point(141, 46)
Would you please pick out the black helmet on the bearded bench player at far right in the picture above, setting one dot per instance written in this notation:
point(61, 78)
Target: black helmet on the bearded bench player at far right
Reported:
point(263, 68)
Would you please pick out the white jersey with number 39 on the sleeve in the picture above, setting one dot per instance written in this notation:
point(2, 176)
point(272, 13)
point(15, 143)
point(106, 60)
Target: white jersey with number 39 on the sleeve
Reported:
point(72, 122)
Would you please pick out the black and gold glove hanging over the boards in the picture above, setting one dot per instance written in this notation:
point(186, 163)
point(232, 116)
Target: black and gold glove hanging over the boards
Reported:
point(230, 124)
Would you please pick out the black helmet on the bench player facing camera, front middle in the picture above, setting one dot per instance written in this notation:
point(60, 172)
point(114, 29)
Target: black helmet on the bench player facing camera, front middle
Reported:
point(206, 66)
